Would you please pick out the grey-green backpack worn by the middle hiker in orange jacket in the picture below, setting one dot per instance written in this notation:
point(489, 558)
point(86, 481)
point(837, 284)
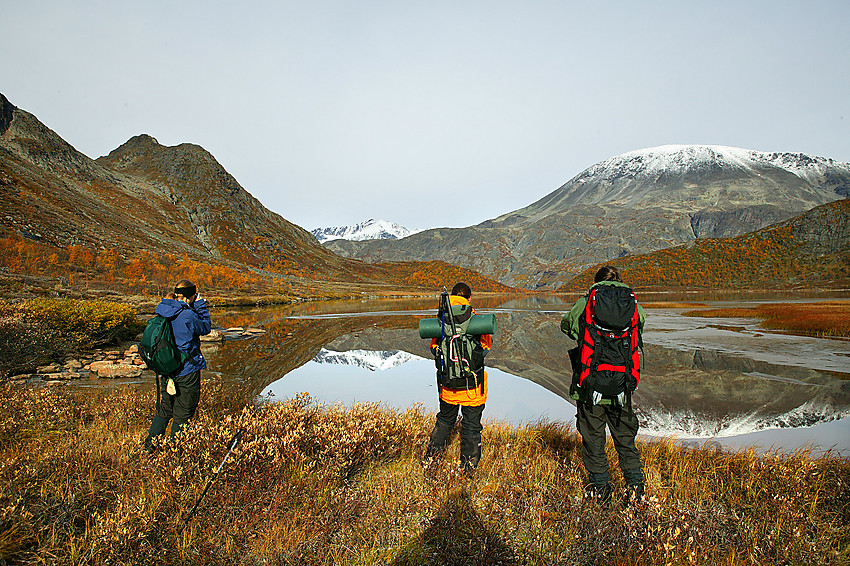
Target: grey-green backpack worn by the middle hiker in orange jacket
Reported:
point(459, 359)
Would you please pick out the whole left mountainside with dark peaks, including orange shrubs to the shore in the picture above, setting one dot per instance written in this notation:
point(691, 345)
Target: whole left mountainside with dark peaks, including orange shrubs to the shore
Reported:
point(145, 198)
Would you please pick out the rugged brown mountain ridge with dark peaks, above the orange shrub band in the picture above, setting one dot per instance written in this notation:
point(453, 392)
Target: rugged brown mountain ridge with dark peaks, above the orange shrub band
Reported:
point(142, 194)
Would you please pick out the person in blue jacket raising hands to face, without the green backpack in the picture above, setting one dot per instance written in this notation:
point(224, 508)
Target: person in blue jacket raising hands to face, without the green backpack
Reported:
point(178, 395)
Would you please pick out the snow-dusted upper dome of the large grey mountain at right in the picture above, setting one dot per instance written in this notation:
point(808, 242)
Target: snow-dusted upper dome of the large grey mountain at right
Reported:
point(708, 175)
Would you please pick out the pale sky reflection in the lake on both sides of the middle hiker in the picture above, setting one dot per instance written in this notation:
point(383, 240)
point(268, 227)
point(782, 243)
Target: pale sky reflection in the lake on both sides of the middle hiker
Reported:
point(510, 398)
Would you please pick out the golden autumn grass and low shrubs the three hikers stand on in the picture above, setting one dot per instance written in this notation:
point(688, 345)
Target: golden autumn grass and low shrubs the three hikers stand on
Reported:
point(314, 484)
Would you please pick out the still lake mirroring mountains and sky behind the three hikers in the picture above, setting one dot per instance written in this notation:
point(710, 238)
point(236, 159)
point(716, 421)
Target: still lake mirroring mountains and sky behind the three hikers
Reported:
point(724, 381)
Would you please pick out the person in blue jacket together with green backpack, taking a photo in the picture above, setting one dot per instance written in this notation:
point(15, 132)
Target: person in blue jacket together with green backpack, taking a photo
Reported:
point(171, 346)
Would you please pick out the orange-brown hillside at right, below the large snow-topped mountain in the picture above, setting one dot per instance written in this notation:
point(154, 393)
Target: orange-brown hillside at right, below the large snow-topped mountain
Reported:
point(811, 249)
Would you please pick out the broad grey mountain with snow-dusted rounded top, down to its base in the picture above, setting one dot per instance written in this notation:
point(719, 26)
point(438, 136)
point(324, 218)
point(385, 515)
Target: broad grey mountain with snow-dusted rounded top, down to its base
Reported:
point(633, 203)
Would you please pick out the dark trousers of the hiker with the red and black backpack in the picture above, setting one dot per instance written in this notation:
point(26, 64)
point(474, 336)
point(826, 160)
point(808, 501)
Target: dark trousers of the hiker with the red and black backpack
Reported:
point(623, 424)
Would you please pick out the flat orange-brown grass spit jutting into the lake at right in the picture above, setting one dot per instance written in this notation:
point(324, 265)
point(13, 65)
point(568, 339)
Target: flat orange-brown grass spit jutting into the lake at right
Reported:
point(828, 318)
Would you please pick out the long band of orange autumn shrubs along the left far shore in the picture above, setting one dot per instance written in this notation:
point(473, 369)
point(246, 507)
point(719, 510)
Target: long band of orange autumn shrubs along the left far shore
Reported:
point(151, 273)
